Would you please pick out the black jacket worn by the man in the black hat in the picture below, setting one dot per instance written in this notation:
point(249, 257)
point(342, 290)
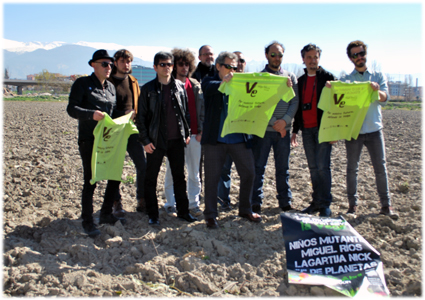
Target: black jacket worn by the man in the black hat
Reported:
point(87, 95)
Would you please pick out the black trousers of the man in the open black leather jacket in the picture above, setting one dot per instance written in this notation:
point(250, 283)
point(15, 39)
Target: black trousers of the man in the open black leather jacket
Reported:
point(175, 154)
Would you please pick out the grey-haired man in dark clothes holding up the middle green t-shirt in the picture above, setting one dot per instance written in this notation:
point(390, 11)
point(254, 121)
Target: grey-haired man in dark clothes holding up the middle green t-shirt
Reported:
point(216, 147)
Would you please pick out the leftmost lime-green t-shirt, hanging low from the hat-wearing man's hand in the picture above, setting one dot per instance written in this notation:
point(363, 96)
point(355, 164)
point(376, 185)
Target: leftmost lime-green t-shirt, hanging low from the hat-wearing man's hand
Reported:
point(110, 145)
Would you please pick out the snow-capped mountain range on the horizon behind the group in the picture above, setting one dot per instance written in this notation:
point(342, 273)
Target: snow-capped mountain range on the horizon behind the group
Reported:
point(22, 59)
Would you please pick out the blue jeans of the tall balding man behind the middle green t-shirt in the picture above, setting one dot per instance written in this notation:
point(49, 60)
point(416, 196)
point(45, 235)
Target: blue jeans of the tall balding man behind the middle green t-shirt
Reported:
point(281, 150)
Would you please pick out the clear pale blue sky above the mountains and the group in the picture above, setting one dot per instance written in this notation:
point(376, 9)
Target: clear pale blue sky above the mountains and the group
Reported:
point(392, 31)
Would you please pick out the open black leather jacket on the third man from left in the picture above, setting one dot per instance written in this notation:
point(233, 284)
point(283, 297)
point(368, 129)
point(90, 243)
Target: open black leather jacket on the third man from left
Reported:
point(151, 111)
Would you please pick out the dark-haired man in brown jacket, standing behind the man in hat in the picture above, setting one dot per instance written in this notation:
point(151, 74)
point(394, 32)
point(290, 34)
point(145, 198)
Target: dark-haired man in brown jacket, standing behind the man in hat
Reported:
point(128, 92)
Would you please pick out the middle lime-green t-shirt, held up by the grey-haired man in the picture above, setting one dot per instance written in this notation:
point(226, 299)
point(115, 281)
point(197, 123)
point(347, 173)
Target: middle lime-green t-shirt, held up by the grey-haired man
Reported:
point(252, 100)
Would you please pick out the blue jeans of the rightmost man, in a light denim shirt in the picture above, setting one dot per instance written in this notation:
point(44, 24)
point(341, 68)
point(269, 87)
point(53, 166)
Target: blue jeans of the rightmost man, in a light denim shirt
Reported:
point(375, 145)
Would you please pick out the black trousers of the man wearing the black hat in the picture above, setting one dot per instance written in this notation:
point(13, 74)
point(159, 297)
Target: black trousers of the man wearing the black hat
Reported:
point(111, 192)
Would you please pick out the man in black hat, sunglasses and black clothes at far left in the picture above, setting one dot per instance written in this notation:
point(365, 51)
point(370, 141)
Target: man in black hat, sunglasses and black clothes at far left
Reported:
point(90, 98)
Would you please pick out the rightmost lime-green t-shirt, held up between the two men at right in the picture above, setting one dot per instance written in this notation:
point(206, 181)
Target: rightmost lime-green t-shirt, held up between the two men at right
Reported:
point(344, 108)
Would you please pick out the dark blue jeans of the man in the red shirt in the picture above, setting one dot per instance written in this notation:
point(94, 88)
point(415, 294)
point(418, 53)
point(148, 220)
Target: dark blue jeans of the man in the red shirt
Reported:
point(319, 163)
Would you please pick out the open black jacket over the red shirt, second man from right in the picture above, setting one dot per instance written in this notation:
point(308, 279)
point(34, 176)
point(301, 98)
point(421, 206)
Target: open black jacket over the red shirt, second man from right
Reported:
point(321, 76)
